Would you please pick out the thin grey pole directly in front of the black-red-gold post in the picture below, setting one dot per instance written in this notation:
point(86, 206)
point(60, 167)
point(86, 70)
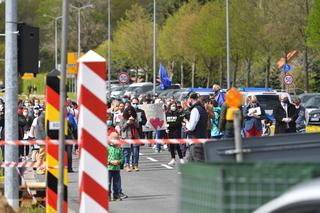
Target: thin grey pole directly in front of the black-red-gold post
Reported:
point(64, 43)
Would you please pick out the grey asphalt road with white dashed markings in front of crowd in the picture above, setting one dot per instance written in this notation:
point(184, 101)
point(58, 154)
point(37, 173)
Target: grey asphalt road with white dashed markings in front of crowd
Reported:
point(154, 188)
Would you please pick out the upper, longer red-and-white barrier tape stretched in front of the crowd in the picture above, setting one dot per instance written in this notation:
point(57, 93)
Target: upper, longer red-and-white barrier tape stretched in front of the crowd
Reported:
point(121, 142)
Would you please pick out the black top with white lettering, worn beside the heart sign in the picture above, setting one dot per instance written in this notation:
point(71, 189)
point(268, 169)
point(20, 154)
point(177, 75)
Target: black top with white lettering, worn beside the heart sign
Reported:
point(174, 121)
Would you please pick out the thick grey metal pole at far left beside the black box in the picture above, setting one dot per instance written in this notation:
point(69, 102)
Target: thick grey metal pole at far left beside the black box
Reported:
point(11, 186)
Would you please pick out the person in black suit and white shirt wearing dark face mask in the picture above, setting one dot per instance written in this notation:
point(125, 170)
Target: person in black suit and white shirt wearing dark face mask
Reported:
point(285, 115)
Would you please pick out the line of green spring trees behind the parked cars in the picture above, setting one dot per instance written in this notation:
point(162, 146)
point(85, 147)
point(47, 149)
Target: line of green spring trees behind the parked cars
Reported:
point(191, 39)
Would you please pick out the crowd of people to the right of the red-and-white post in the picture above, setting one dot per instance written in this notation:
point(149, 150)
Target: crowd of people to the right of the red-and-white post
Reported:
point(197, 117)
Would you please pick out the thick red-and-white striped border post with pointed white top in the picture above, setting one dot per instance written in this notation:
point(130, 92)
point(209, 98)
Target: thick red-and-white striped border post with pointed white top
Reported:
point(93, 156)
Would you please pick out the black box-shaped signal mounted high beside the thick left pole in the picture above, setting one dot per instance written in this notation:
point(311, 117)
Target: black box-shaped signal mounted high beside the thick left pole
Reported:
point(28, 49)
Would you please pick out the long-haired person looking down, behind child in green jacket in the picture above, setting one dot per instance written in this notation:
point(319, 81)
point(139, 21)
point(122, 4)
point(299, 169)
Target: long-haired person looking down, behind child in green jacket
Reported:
point(130, 130)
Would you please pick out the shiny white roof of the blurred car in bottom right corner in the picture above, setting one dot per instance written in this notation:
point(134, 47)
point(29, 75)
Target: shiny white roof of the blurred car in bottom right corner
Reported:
point(308, 191)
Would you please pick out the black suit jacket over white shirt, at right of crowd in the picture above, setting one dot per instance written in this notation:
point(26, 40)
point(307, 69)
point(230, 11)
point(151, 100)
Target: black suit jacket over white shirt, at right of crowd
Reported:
point(279, 113)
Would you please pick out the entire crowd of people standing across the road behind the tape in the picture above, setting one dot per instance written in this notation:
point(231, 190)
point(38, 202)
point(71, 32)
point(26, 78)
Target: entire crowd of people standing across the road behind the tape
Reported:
point(196, 117)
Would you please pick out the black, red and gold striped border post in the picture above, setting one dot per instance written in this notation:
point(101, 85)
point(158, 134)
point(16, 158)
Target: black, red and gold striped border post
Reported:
point(52, 151)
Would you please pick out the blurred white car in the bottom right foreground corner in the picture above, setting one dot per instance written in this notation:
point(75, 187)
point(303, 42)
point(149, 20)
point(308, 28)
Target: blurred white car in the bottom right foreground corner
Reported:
point(301, 199)
